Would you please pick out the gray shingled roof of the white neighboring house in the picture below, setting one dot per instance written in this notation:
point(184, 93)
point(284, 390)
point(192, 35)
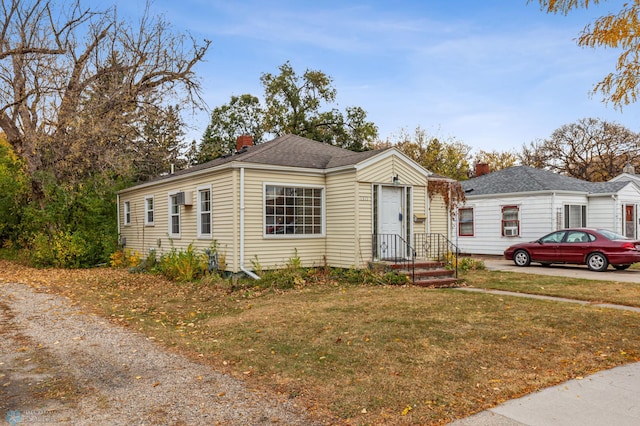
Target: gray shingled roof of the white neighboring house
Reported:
point(527, 179)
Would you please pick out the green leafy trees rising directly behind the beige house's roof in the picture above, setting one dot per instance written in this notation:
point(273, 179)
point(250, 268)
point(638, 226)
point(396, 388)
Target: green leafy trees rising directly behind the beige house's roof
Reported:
point(293, 104)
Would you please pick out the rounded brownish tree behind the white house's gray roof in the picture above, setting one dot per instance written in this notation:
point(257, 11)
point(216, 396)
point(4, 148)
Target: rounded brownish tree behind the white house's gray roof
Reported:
point(589, 149)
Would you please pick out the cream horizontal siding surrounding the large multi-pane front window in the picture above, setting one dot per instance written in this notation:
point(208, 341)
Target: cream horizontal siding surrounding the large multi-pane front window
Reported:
point(274, 252)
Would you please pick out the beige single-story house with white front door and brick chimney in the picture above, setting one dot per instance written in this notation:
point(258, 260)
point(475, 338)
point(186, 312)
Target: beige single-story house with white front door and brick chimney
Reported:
point(289, 197)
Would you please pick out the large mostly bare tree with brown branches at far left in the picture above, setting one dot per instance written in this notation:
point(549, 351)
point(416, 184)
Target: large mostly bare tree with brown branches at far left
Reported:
point(78, 83)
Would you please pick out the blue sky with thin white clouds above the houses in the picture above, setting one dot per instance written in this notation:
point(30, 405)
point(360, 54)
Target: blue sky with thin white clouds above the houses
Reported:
point(494, 74)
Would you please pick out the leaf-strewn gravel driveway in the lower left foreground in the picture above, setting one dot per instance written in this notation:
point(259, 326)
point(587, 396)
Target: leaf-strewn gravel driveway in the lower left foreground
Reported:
point(60, 365)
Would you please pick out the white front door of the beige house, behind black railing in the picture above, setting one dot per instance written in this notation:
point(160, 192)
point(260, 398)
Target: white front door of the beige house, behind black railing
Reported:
point(391, 244)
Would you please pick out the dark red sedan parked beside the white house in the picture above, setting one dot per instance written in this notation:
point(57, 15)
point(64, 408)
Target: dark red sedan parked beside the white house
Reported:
point(597, 248)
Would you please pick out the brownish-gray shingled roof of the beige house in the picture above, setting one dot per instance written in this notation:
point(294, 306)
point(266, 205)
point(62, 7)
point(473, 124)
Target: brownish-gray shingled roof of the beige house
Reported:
point(288, 151)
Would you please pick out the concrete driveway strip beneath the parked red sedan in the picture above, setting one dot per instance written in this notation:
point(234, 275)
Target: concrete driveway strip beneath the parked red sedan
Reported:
point(497, 263)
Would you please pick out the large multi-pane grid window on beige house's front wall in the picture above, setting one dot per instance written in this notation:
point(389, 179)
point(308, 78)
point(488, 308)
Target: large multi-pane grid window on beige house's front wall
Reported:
point(293, 210)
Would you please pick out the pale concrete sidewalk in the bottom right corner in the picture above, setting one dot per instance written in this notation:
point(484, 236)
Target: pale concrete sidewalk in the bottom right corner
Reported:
point(610, 397)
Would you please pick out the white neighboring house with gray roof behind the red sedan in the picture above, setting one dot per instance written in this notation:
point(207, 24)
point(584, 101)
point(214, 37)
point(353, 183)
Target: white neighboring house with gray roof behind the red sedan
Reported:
point(523, 203)
